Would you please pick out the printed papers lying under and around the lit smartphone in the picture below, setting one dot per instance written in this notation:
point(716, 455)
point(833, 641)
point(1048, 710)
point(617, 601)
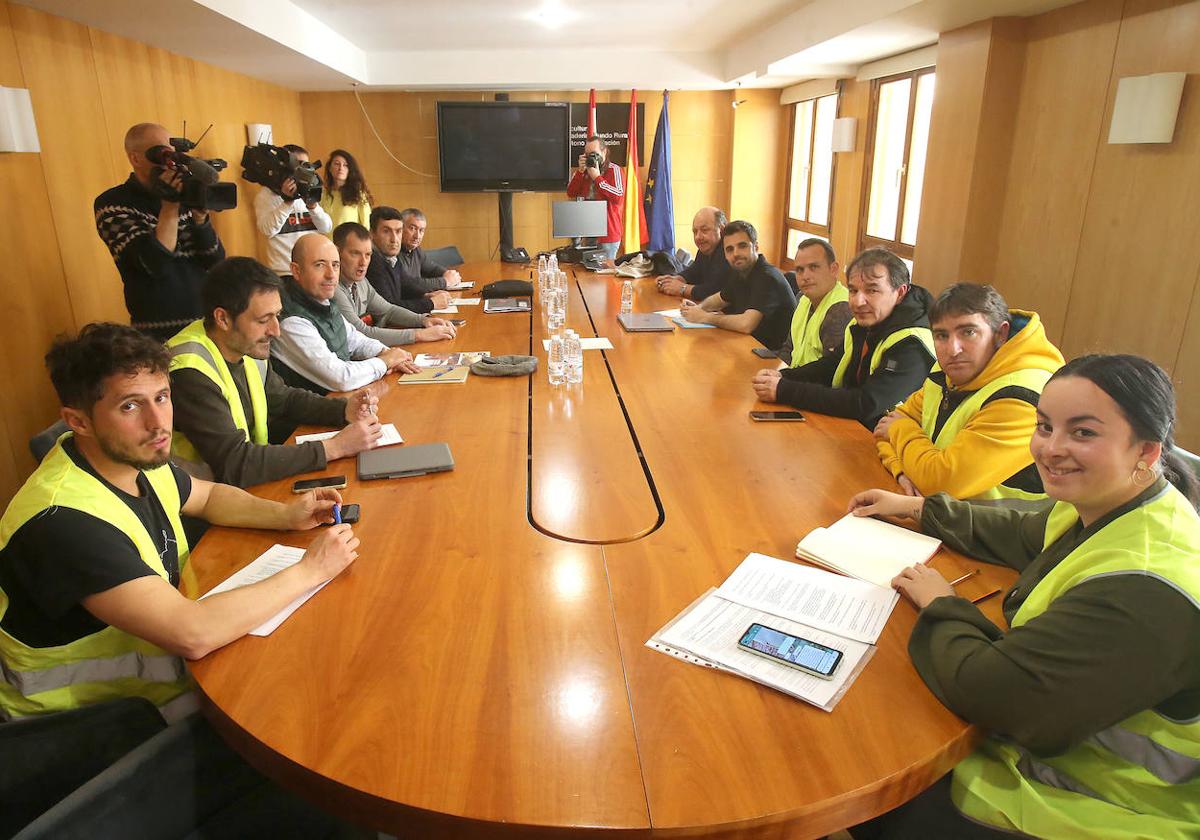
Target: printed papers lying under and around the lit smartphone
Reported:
point(836, 611)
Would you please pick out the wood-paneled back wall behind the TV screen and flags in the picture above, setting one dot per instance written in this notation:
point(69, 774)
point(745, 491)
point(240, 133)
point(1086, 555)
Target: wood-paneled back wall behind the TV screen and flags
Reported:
point(703, 130)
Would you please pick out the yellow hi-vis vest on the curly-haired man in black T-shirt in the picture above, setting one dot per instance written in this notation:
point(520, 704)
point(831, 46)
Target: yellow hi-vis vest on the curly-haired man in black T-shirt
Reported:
point(107, 664)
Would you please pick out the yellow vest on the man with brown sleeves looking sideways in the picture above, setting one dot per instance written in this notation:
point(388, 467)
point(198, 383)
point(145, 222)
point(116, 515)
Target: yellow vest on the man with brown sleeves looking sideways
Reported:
point(193, 350)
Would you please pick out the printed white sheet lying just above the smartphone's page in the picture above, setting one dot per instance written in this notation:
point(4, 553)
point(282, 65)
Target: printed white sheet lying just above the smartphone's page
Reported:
point(819, 599)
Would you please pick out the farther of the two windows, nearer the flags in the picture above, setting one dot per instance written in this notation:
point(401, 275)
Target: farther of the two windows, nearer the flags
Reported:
point(811, 172)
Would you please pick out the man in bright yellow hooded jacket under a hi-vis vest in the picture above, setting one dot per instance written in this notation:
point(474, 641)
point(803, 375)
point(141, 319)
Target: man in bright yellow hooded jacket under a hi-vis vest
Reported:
point(967, 433)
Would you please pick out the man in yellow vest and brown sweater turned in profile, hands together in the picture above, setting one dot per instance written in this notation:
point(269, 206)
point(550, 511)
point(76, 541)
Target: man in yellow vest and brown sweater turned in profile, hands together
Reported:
point(230, 403)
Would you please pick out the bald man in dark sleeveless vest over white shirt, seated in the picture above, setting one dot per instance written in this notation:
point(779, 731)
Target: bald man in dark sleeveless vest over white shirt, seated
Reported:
point(317, 349)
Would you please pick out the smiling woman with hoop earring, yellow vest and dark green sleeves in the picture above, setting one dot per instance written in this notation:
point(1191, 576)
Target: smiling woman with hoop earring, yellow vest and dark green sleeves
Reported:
point(1093, 695)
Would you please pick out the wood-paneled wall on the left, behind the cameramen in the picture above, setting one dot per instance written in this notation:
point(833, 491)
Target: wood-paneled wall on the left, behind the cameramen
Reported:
point(88, 87)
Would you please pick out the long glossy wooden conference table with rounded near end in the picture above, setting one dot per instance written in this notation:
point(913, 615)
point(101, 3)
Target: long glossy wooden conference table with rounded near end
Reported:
point(482, 671)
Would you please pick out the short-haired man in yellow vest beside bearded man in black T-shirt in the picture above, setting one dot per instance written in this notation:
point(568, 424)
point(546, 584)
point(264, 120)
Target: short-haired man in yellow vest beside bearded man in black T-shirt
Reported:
point(823, 315)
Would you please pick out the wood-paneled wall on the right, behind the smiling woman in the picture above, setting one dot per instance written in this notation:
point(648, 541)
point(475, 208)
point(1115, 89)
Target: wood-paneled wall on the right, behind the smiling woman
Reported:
point(1024, 191)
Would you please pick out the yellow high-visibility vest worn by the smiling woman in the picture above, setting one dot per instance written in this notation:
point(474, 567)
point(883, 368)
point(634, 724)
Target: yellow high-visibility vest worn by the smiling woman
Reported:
point(1138, 778)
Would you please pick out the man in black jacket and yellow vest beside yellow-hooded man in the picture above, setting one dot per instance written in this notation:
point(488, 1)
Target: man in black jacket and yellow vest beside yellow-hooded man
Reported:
point(886, 351)
